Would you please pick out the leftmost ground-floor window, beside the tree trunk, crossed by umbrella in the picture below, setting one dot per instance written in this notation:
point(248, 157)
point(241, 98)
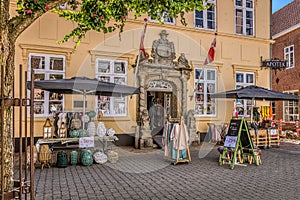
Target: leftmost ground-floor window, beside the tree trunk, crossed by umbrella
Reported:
point(47, 67)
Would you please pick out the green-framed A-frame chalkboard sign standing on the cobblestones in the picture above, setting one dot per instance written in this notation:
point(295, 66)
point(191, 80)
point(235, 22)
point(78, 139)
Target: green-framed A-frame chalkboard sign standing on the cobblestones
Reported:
point(238, 144)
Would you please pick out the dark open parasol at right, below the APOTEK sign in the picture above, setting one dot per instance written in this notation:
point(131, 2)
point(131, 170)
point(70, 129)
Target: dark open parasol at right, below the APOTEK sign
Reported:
point(256, 93)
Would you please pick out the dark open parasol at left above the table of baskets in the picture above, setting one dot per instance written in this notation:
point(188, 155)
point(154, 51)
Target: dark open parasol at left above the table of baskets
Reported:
point(84, 86)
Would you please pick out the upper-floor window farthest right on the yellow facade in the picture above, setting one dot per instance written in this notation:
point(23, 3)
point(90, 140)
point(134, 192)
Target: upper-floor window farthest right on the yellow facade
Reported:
point(244, 17)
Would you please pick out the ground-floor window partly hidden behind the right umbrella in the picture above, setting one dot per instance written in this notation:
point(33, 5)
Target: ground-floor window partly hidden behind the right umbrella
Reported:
point(244, 79)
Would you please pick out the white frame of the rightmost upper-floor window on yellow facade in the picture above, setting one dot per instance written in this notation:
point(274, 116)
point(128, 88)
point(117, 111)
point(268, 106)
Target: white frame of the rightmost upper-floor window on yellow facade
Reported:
point(244, 9)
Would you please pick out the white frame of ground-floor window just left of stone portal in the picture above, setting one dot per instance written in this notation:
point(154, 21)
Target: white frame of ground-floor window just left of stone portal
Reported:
point(110, 76)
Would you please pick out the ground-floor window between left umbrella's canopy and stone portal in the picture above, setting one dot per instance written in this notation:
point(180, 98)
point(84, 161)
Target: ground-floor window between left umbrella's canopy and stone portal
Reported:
point(114, 71)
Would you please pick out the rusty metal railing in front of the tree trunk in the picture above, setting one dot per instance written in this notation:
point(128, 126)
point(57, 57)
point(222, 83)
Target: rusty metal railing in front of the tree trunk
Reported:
point(23, 183)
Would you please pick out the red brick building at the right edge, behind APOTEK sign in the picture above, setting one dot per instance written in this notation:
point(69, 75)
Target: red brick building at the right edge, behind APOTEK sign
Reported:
point(286, 33)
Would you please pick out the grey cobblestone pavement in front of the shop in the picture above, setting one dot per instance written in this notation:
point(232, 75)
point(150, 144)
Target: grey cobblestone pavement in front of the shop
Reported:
point(148, 175)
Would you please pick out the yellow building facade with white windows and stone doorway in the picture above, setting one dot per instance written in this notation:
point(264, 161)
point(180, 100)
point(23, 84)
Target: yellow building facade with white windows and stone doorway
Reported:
point(243, 37)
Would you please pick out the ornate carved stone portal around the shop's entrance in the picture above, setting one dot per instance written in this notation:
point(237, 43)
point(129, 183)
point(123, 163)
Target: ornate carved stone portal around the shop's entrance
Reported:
point(163, 88)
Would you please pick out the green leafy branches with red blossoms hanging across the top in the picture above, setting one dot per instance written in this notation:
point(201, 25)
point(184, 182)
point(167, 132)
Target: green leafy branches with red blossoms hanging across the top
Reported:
point(107, 15)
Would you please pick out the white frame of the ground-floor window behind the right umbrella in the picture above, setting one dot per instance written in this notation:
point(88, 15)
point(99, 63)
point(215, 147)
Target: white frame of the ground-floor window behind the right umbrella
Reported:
point(243, 103)
